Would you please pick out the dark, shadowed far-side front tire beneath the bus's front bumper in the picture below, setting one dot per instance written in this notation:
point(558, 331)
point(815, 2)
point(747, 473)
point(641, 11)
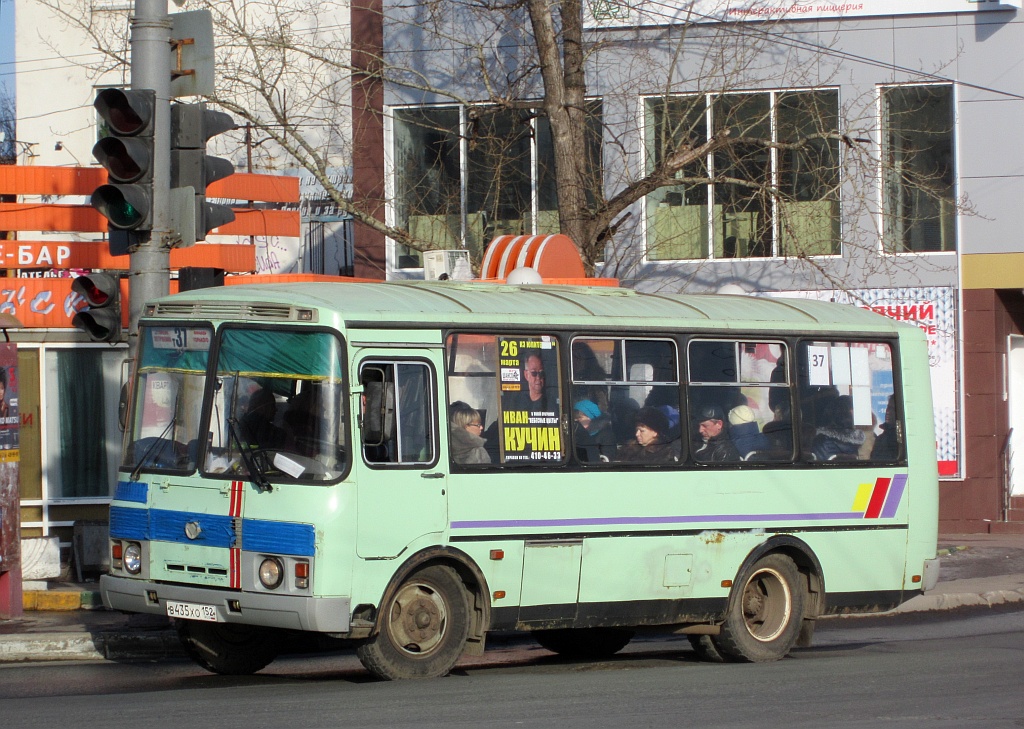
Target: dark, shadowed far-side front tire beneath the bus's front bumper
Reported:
point(229, 649)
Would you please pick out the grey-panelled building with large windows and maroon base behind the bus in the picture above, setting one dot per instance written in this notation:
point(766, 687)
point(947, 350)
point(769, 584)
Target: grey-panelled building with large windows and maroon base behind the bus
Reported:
point(904, 194)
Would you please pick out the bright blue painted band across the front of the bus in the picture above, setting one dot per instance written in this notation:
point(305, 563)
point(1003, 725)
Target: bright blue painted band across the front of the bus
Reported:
point(216, 531)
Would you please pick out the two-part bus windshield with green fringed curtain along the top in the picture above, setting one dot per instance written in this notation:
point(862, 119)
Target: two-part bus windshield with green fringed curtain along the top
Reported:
point(276, 411)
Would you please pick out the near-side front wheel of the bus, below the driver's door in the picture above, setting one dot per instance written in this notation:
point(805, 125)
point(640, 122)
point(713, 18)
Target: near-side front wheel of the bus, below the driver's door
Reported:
point(423, 628)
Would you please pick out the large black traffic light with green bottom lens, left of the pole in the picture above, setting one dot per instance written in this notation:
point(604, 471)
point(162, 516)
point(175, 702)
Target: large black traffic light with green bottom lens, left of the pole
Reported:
point(126, 201)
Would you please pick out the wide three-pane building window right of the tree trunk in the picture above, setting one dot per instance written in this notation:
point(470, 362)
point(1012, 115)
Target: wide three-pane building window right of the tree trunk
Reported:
point(773, 193)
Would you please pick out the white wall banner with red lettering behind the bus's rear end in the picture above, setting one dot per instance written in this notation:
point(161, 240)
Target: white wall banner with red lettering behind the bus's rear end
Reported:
point(934, 311)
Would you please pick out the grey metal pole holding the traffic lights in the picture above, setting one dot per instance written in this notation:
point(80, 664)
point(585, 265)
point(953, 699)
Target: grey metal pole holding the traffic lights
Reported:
point(150, 267)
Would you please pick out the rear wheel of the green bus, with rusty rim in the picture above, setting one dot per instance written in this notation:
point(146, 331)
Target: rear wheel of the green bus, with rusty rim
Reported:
point(766, 610)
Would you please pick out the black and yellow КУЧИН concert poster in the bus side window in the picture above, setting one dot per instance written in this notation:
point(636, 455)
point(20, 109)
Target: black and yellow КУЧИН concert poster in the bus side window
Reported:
point(530, 398)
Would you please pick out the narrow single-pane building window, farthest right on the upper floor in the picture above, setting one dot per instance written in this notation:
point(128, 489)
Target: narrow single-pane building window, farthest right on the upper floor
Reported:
point(919, 169)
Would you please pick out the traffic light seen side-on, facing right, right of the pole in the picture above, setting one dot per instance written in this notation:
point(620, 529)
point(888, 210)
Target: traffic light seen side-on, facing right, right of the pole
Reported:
point(193, 125)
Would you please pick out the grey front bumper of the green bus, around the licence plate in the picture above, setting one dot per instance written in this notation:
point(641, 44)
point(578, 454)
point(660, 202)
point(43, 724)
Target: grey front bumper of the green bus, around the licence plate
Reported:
point(321, 615)
